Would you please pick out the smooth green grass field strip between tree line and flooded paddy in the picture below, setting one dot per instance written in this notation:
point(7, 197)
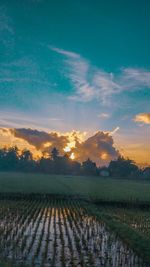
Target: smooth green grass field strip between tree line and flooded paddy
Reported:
point(89, 187)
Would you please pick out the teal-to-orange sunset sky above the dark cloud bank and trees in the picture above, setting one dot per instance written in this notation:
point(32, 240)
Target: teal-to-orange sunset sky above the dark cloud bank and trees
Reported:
point(79, 65)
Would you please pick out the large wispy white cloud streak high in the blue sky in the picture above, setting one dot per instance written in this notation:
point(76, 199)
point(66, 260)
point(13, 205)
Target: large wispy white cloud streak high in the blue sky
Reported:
point(91, 83)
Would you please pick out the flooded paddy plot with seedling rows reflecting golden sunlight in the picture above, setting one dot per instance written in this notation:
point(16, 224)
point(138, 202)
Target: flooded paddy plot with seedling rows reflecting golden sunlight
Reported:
point(59, 233)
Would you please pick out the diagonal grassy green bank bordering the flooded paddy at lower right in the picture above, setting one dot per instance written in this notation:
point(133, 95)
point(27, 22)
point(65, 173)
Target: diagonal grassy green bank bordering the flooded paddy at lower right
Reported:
point(140, 243)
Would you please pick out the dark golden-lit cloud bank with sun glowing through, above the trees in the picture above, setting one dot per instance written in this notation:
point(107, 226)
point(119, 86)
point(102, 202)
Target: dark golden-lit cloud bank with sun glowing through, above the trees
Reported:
point(99, 147)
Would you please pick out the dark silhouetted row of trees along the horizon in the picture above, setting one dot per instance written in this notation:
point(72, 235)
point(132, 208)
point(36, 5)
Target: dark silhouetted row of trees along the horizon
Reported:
point(11, 159)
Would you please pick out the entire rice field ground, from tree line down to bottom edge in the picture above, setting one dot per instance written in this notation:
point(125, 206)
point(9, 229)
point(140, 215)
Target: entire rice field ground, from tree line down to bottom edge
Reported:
point(61, 221)
